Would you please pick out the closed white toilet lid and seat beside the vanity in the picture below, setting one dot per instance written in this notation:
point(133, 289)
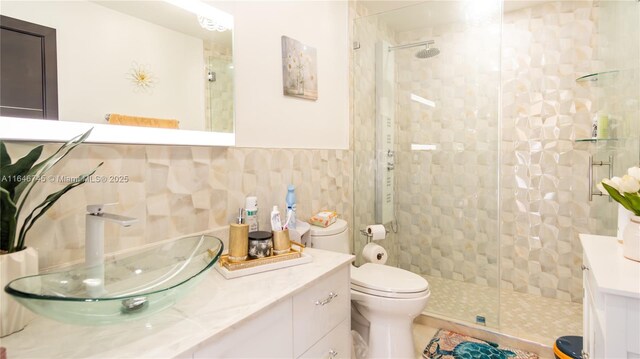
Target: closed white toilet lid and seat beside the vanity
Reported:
point(386, 281)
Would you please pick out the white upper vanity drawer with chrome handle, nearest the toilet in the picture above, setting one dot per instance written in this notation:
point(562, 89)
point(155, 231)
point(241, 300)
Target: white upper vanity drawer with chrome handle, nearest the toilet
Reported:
point(320, 308)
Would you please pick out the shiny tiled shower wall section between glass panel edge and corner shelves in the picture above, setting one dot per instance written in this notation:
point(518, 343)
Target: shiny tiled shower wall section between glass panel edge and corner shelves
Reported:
point(544, 182)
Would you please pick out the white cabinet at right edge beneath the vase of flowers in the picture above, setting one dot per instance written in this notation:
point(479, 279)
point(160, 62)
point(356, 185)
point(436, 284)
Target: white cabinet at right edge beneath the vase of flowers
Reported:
point(611, 300)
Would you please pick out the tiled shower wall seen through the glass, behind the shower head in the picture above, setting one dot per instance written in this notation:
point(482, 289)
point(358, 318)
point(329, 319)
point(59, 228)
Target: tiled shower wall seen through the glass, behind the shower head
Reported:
point(449, 211)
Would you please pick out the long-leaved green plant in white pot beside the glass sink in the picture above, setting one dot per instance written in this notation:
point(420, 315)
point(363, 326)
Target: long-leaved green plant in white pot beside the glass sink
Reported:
point(17, 180)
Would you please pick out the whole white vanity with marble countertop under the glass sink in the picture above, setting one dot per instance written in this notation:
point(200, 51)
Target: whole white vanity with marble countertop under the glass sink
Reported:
point(295, 312)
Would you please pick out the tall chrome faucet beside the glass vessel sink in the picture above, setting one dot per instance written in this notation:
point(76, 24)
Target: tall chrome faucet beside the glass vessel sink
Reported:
point(94, 245)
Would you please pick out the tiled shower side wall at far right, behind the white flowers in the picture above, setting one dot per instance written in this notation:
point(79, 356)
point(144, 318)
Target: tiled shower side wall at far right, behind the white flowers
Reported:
point(618, 29)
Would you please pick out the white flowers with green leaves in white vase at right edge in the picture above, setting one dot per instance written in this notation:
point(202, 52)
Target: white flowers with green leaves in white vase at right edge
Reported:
point(626, 191)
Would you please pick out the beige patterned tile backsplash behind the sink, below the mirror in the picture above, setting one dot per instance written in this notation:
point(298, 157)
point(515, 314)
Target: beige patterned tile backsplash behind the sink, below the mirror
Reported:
point(175, 191)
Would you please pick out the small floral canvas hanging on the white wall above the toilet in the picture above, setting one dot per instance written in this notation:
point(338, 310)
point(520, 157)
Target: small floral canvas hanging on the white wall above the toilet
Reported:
point(299, 69)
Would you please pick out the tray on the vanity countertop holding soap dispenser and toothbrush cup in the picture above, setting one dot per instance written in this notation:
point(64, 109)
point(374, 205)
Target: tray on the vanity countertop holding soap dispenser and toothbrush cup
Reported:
point(231, 270)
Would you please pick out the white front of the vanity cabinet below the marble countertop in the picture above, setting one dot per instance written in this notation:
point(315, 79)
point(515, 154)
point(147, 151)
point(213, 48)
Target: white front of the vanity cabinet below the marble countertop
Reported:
point(312, 323)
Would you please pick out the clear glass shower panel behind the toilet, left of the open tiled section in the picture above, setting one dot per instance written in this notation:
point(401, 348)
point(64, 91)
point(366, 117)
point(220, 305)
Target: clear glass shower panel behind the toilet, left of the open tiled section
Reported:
point(427, 83)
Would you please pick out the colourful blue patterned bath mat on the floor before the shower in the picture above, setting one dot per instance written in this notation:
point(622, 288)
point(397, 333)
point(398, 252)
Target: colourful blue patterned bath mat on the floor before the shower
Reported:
point(450, 345)
